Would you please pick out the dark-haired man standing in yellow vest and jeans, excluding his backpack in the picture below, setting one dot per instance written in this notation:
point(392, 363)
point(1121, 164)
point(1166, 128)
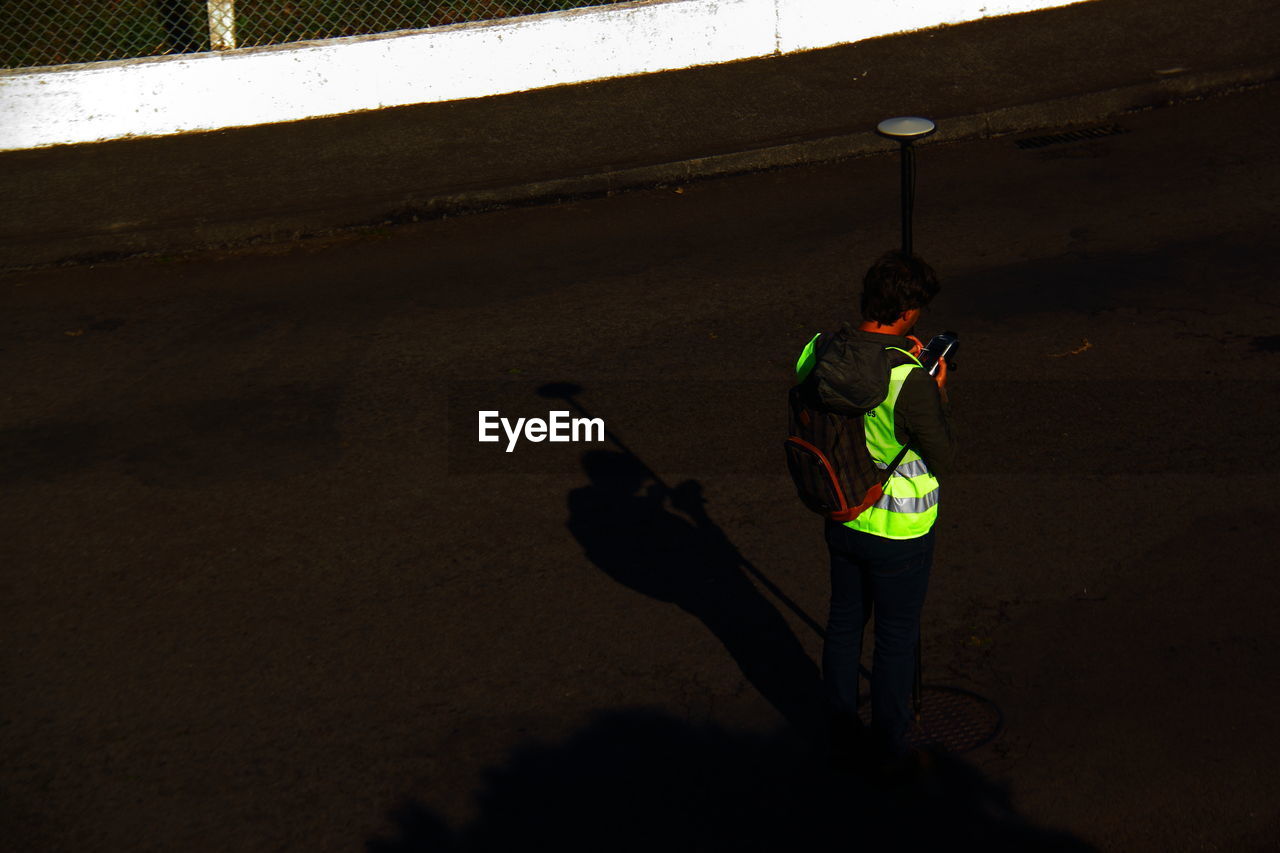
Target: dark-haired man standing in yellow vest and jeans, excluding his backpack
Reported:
point(880, 562)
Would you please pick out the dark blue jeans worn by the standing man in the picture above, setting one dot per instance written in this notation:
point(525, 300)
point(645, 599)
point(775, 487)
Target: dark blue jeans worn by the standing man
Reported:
point(886, 577)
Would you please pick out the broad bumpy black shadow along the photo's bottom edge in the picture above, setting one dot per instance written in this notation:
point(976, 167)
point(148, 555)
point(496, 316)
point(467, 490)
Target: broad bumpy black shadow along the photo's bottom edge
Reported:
point(641, 781)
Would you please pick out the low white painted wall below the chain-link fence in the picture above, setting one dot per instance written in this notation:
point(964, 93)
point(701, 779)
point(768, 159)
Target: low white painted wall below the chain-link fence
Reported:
point(166, 95)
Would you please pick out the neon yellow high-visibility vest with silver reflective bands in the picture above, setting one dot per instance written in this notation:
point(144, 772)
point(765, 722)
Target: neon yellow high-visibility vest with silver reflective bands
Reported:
point(909, 507)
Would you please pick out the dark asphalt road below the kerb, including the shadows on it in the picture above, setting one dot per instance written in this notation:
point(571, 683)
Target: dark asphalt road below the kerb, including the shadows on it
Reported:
point(266, 591)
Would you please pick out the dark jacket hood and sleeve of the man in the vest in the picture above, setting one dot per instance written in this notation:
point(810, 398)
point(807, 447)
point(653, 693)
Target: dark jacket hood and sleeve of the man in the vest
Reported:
point(852, 375)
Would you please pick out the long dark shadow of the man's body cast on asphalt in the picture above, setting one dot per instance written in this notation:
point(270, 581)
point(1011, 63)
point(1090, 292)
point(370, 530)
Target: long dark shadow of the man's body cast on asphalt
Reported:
point(625, 527)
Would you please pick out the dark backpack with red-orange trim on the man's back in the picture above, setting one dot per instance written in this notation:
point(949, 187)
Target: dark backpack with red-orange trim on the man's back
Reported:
point(833, 471)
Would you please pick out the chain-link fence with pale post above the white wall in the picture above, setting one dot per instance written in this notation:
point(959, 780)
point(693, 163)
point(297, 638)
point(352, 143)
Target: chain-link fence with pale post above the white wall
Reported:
point(57, 33)
